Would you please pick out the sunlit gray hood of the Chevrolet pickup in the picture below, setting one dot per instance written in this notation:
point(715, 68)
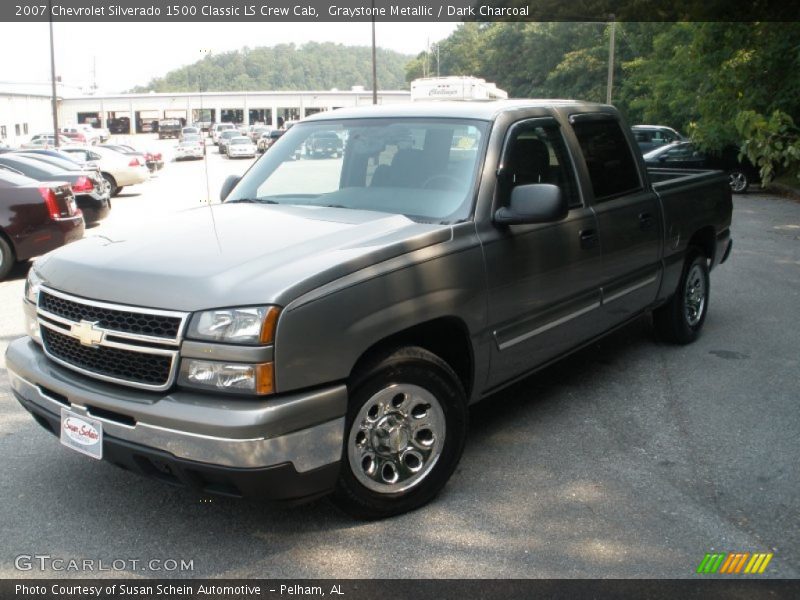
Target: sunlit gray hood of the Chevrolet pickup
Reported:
point(233, 255)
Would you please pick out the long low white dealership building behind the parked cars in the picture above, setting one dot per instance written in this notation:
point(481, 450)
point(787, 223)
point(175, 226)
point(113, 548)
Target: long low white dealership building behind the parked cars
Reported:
point(26, 112)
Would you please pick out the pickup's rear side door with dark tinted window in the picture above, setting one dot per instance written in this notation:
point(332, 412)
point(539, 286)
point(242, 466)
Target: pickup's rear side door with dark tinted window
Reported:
point(628, 215)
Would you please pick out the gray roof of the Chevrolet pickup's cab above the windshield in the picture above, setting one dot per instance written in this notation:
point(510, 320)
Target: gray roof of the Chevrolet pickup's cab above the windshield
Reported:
point(481, 110)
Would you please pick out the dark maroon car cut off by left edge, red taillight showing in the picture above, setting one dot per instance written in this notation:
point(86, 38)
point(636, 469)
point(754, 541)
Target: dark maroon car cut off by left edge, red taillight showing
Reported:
point(35, 218)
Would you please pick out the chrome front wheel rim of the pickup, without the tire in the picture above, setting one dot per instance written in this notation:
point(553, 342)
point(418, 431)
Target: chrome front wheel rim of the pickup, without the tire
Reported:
point(396, 438)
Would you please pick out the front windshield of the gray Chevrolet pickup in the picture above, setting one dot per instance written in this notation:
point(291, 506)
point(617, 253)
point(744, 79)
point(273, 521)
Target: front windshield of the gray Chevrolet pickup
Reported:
point(422, 168)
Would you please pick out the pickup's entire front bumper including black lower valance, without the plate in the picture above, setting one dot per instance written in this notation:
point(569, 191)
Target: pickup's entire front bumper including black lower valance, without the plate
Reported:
point(285, 448)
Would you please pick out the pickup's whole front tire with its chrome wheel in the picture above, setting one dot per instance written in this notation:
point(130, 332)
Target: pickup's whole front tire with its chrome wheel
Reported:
point(404, 435)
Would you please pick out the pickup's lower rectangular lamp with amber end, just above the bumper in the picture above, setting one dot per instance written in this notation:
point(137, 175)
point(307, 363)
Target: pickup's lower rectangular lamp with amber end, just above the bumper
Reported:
point(227, 377)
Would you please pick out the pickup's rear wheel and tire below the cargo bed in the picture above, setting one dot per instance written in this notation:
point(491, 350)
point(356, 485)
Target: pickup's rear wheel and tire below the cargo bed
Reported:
point(681, 319)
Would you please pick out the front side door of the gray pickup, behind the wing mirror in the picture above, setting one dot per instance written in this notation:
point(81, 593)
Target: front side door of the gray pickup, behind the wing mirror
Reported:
point(543, 279)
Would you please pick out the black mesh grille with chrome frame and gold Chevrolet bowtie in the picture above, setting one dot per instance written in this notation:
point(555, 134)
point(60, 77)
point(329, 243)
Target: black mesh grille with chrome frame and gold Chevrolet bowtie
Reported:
point(128, 345)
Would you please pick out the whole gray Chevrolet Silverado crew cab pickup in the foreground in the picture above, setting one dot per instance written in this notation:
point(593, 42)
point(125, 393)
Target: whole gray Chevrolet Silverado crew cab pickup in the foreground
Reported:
point(325, 328)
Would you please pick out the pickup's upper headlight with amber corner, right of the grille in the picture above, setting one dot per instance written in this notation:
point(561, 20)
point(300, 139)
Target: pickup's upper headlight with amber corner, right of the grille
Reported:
point(248, 325)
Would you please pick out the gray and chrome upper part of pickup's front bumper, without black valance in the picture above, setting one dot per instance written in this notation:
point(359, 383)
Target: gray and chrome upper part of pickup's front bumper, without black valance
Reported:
point(306, 429)
